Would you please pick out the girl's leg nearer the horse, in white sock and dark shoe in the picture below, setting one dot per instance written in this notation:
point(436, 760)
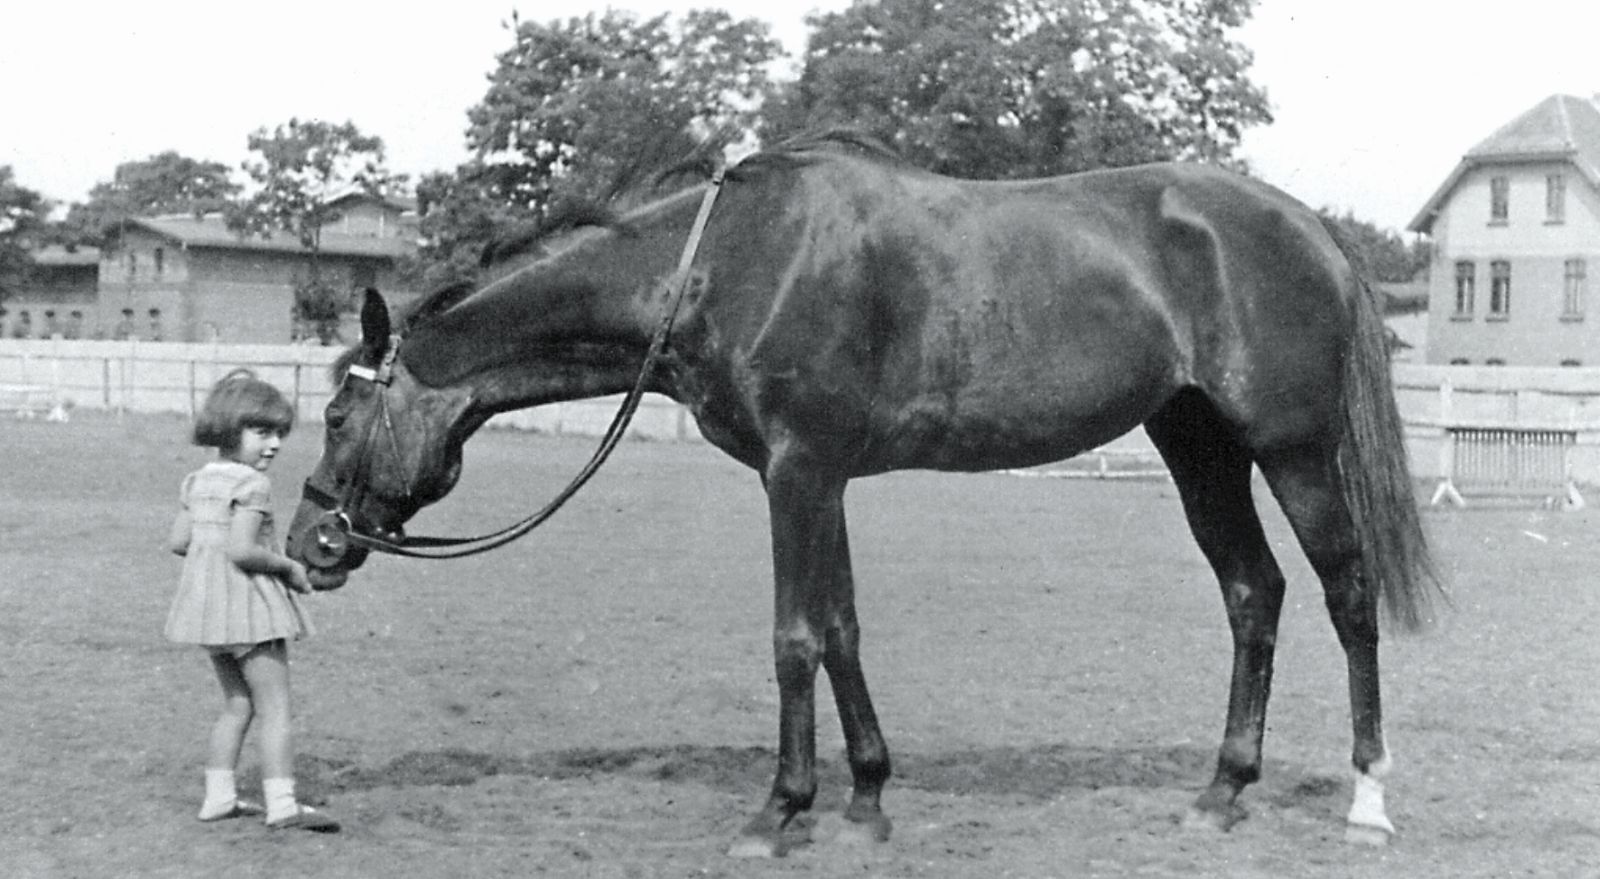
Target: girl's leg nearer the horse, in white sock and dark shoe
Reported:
point(268, 672)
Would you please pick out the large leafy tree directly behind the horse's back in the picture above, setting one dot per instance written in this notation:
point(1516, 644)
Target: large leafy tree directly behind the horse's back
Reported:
point(1018, 89)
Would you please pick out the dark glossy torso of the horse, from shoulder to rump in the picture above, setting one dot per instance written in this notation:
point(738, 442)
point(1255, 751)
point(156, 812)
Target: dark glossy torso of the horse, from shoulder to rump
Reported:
point(969, 326)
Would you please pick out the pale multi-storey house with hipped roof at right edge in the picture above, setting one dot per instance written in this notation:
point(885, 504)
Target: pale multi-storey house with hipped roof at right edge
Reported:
point(1516, 233)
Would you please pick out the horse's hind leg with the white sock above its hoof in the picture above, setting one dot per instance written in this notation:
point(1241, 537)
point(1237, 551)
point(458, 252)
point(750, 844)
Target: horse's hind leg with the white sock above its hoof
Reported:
point(1306, 484)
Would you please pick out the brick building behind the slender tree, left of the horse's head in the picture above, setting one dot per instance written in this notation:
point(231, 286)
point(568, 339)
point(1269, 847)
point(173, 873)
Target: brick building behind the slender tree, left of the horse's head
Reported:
point(194, 279)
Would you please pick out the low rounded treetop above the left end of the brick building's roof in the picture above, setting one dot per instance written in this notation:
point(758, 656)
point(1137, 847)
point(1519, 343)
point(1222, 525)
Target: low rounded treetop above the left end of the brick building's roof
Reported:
point(161, 185)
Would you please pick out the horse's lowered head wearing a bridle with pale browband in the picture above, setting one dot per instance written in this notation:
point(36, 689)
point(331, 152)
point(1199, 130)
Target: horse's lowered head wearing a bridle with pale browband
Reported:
point(391, 448)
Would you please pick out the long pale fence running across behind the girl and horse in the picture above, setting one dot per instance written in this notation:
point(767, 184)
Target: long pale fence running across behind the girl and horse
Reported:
point(174, 379)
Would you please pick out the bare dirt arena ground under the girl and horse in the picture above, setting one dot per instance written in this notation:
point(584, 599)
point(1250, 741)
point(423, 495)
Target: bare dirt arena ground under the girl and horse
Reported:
point(1049, 660)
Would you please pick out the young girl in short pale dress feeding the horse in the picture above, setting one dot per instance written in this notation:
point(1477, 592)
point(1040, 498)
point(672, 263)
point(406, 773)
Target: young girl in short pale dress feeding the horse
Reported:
point(238, 598)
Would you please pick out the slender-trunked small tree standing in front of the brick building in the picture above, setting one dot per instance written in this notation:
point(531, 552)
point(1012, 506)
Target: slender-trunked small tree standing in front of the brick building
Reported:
point(303, 167)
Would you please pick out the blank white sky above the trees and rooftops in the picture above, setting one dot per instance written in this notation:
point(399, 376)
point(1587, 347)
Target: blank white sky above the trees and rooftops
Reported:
point(1375, 102)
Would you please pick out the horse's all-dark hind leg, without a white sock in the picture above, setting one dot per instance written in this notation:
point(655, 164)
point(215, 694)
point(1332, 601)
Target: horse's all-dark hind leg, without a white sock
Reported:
point(1212, 472)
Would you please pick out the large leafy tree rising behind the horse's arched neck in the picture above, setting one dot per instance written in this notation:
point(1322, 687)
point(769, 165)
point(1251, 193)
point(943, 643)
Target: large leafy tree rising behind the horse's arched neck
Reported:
point(588, 108)
